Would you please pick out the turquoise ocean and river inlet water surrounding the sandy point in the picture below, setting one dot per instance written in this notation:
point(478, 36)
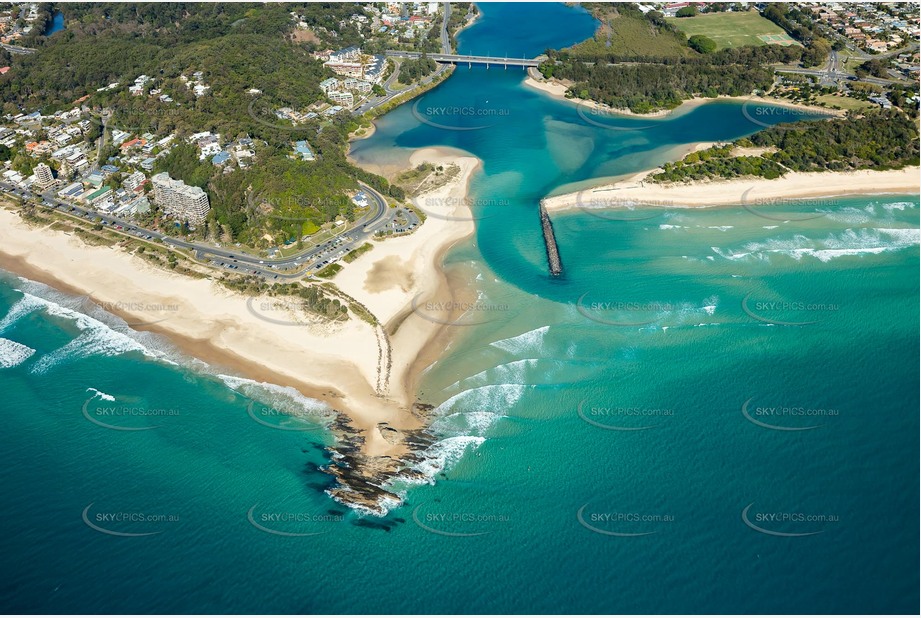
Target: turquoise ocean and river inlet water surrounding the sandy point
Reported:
point(711, 411)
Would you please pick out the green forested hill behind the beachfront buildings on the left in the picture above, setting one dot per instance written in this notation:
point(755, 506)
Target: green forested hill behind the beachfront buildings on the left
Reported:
point(237, 47)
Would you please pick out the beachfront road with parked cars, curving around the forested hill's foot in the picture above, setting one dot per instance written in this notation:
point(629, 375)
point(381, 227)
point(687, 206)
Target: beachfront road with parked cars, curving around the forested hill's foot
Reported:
point(313, 258)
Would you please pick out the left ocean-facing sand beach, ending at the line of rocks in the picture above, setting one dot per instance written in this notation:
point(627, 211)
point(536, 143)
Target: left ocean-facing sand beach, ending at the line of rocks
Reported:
point(210, 322)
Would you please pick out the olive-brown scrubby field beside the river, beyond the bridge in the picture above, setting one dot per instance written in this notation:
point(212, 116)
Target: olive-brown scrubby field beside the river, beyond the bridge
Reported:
point(627, 35)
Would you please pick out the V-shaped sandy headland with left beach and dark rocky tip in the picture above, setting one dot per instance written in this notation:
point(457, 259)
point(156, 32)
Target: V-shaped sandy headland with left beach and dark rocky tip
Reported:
point(379, 429)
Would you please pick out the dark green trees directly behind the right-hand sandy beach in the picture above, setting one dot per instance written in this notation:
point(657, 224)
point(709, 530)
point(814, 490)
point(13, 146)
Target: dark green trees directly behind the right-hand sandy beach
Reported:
point(881, 139)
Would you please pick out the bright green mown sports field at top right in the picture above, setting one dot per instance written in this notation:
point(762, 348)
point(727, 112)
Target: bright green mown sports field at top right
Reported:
point(733, 29)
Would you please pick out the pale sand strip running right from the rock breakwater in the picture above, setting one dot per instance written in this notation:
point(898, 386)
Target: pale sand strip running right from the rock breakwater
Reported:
point(636, 192)
